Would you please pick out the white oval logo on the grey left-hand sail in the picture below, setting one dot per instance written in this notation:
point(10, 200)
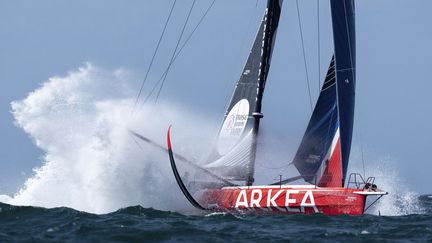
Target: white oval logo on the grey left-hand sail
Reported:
point(233, 126)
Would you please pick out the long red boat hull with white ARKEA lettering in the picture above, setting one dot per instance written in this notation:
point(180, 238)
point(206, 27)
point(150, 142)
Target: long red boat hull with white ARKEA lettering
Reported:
point(285, 200)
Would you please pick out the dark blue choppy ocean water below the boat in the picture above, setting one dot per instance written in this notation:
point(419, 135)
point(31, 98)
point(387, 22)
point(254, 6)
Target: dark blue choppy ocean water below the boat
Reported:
point(138, 224)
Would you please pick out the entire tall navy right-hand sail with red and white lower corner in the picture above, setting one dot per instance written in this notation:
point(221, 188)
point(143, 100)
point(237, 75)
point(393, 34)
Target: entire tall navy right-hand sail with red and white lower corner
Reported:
point(322, 157)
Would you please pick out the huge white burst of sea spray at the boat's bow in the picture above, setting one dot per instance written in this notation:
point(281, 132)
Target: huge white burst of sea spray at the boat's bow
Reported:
point(91, 161)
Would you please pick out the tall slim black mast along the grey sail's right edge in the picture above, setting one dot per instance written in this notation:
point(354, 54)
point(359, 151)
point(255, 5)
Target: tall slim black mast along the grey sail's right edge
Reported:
point(271, 22)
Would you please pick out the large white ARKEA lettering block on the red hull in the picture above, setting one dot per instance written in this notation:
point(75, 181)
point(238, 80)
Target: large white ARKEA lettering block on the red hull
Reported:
point(280, 199)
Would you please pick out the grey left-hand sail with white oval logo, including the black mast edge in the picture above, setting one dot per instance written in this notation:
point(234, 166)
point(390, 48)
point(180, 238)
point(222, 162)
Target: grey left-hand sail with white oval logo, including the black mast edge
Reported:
point(234, 153)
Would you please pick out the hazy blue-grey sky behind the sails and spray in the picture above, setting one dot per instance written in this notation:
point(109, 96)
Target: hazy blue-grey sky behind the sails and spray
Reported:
point(44, 39)
